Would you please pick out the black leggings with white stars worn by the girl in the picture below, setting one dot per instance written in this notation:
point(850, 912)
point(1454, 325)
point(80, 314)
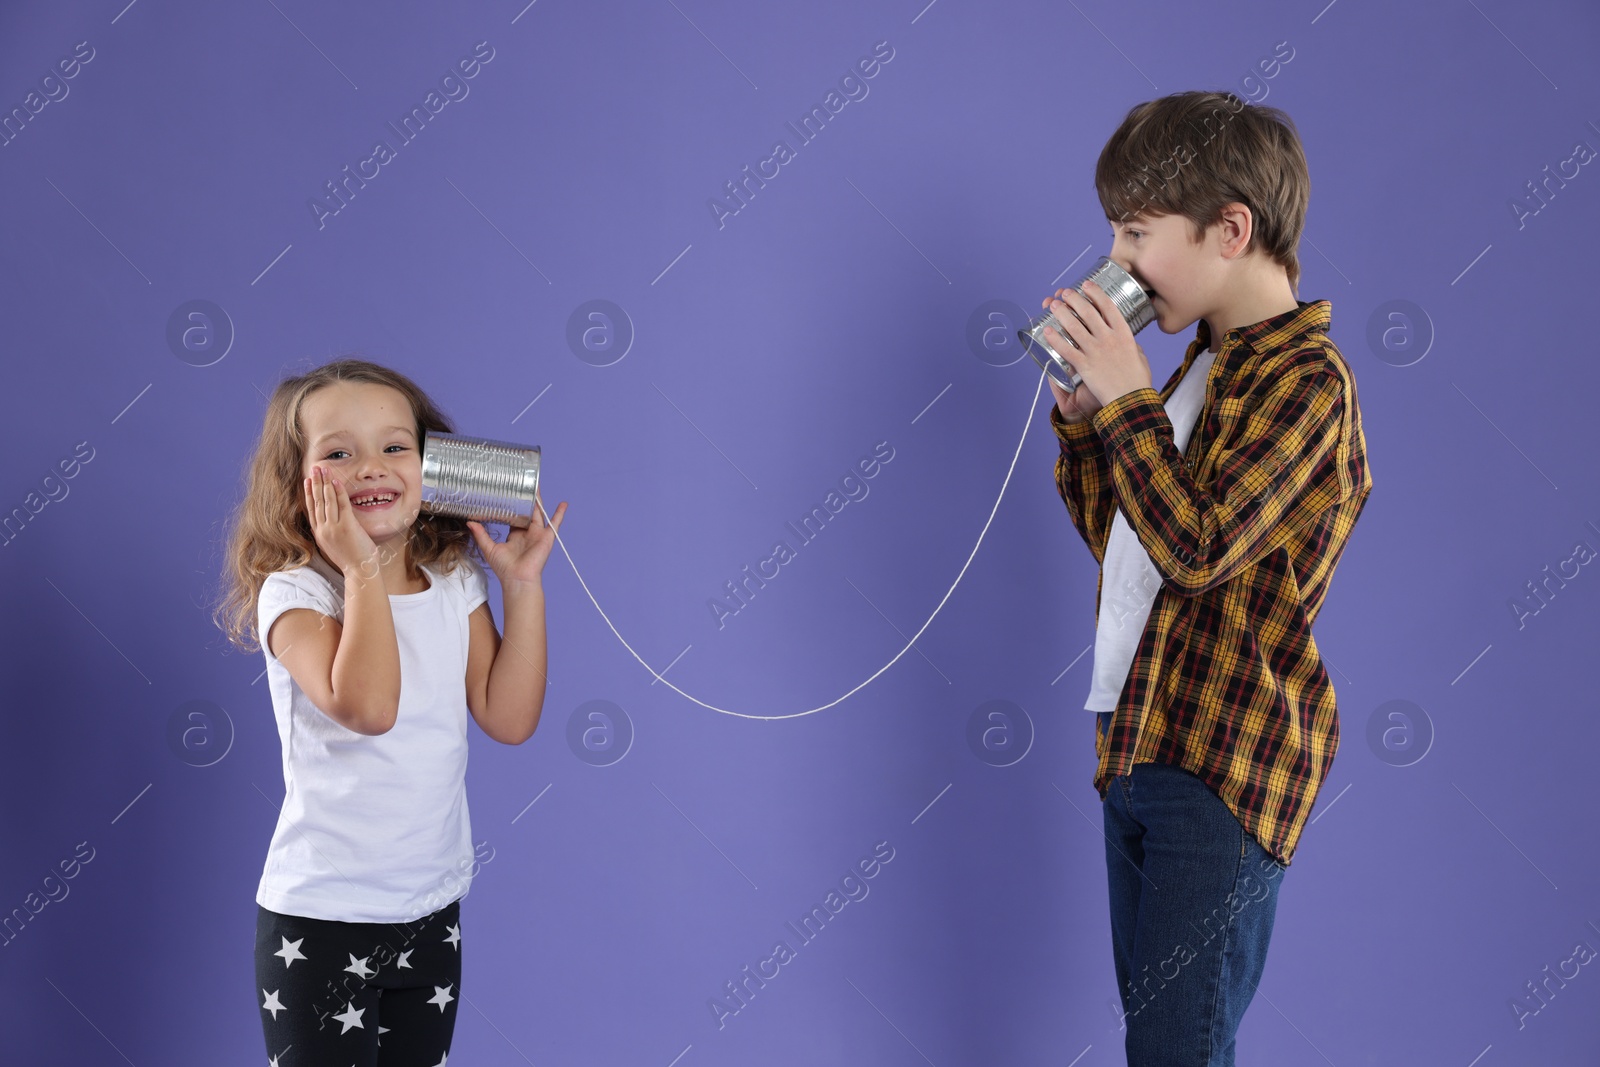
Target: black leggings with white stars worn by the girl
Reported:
point(366, 994)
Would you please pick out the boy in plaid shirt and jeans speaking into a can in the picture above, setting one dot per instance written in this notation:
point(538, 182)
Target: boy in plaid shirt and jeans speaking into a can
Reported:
point(1217, 510)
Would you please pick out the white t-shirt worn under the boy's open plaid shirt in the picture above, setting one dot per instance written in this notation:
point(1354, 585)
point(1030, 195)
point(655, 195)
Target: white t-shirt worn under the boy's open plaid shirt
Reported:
point(1129, 580)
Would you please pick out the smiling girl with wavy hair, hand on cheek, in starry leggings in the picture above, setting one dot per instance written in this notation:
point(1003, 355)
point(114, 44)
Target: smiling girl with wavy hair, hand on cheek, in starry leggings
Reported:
point(378, 639)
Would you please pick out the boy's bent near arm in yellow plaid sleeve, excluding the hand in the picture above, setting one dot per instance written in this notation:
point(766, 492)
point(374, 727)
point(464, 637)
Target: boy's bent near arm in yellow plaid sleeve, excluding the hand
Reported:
point(1279, 476)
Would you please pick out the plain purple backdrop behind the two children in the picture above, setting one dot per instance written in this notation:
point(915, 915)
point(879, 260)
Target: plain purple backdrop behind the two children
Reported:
point(166, 265)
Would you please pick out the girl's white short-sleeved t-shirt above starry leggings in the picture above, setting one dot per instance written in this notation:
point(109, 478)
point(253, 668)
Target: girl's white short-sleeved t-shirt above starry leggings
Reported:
point(375, 829)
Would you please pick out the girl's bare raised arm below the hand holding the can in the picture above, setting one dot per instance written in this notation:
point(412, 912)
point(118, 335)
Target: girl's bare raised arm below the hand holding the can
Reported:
point(506, 676)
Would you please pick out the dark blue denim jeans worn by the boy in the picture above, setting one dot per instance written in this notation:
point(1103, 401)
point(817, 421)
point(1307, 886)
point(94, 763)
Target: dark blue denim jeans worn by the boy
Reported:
point(1193, 900)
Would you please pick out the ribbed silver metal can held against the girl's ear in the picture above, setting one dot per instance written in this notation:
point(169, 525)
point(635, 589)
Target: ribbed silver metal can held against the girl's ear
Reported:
point(481, 479)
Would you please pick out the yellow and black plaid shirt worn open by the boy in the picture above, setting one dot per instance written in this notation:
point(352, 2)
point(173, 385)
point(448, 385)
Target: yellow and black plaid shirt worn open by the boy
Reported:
point(1246, 532)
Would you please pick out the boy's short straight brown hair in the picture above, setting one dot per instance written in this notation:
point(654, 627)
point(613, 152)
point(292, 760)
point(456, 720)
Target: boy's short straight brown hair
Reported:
point(1193, 153)
